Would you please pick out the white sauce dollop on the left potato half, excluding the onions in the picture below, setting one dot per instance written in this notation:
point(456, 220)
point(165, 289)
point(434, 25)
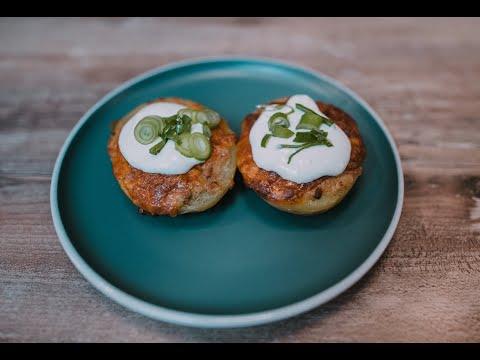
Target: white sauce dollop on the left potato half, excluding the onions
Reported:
point(168, 161)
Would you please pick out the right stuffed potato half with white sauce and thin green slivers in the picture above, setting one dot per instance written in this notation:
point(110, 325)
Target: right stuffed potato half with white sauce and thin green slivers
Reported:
point(301, 156)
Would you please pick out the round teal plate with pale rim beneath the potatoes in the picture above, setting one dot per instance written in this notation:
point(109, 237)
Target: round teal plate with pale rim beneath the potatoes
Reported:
point(242, 262)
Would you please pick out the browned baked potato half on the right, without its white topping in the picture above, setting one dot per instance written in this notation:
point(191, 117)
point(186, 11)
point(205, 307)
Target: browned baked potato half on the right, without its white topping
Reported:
point(310, 198)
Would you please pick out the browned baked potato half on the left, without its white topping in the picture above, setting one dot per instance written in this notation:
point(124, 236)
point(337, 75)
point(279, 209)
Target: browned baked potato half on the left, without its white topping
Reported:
point(197, 190)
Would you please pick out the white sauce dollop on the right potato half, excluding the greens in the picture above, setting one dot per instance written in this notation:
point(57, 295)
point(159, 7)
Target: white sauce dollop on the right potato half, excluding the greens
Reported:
point(309, 164)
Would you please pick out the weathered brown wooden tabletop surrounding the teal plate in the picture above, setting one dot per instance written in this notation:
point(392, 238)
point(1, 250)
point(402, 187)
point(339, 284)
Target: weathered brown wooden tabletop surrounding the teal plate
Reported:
point(421, 75)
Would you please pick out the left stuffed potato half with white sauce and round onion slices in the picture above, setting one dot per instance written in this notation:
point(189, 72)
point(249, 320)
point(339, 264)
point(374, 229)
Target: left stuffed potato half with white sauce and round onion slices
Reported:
point(173, 156)
